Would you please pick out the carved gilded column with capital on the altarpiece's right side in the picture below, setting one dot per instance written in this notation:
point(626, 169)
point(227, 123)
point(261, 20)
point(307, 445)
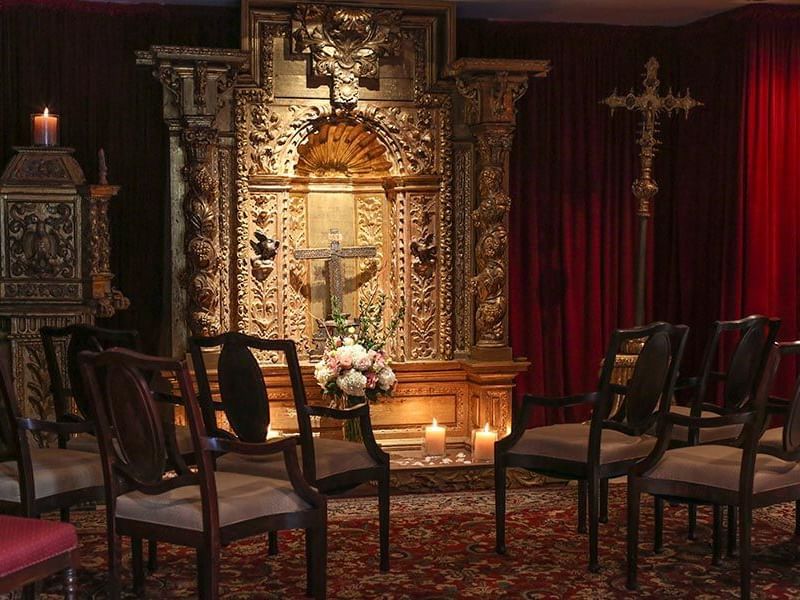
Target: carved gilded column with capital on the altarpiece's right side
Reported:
point(491, 89)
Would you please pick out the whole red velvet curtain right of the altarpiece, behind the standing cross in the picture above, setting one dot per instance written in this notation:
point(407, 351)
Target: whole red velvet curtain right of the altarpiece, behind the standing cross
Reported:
point(573, 237)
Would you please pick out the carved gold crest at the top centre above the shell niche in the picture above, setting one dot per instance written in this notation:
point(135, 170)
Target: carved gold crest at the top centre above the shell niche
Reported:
point(346, 44)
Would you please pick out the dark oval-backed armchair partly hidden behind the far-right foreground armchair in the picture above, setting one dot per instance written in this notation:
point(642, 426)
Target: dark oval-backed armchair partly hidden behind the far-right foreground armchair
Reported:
point(753, 338)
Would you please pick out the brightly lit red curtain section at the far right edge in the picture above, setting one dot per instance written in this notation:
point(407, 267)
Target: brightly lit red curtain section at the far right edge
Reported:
point(768, 257)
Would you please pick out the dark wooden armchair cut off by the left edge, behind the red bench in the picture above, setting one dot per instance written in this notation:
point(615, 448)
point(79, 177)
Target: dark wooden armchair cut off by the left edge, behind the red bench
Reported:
point(38, 480)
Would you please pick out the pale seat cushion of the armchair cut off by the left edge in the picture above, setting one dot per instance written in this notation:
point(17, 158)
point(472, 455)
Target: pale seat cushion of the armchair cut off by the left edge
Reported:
point(55, 471)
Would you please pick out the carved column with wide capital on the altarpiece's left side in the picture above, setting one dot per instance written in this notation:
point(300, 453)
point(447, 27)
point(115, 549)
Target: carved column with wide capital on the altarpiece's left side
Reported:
point(197, 82)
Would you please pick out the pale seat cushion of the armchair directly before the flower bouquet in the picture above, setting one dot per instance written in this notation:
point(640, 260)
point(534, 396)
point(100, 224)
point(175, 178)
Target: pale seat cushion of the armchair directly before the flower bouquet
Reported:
point(331, 456)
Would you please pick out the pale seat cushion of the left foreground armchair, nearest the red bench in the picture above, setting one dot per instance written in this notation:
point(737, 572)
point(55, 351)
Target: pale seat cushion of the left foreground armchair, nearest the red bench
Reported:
point(240, 498)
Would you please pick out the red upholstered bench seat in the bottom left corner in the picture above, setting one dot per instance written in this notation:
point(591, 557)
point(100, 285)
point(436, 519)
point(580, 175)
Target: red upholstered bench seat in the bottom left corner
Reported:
point(32, 549)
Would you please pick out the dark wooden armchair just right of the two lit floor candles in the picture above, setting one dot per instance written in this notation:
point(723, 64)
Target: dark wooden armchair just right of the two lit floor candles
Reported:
point(606, 447)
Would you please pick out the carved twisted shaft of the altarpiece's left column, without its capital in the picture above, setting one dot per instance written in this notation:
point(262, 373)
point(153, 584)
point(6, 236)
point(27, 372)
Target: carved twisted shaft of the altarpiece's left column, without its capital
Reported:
point(202, 223)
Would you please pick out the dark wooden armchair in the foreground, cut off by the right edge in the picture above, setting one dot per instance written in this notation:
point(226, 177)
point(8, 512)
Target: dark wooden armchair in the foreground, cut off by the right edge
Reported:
point(742, 474)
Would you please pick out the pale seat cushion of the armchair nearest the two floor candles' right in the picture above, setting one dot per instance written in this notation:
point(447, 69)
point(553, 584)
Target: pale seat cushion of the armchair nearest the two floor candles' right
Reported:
point(571, 442)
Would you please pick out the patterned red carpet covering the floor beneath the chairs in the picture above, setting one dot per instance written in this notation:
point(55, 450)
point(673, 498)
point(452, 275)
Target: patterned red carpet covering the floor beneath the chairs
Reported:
point(443, 548)
